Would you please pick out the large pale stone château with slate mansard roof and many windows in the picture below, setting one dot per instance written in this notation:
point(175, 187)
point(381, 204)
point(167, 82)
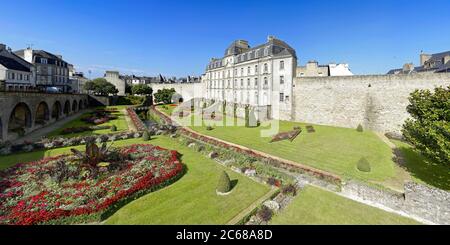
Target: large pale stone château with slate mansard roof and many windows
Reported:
point(261, 77)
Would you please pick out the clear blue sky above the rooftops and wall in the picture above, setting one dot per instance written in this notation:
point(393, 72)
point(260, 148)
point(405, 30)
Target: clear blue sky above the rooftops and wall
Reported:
point(179, 37)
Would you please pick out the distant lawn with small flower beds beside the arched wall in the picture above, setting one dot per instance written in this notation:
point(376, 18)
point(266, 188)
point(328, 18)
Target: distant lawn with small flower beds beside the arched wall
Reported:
point(120, 123)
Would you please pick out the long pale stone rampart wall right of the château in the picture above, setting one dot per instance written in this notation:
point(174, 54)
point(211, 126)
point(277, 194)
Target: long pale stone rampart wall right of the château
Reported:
point(378, 102)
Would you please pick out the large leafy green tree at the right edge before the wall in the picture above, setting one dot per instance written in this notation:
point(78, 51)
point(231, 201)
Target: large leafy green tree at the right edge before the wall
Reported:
point(428, 129)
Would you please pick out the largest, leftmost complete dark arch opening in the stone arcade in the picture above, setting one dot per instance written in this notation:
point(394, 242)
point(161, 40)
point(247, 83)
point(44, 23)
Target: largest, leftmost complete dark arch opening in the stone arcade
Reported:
point(20, 119)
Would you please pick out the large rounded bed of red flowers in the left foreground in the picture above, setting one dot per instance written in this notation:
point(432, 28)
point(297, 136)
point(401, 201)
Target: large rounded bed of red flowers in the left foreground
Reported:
point(58, 190)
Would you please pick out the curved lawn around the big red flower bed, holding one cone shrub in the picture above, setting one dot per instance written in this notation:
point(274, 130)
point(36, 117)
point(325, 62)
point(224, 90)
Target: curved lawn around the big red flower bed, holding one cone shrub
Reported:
point(191, 200)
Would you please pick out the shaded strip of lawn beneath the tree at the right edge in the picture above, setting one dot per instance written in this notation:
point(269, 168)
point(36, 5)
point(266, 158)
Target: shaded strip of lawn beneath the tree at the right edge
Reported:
point(422, 170)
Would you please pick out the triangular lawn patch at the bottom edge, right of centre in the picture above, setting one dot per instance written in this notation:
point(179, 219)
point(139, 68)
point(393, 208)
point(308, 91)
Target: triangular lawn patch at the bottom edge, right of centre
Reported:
point(317, 206)
